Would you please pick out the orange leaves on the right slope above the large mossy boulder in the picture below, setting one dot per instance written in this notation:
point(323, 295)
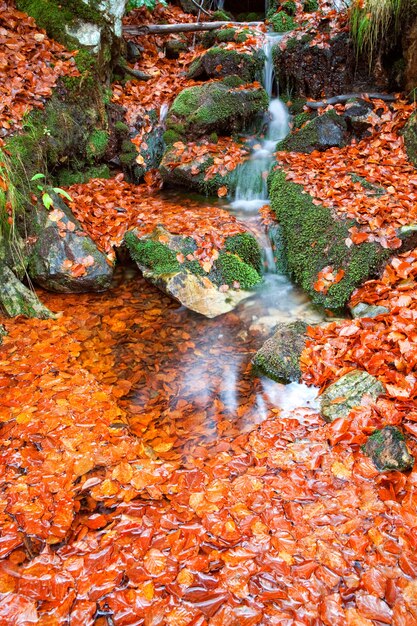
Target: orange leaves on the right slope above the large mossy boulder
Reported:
point(381, 160)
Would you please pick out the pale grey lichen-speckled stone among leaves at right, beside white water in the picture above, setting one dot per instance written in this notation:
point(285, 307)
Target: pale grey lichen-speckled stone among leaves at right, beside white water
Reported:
point(348, 392)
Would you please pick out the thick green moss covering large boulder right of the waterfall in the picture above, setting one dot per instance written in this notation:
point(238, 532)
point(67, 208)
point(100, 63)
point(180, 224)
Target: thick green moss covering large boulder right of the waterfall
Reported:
point(313, 239)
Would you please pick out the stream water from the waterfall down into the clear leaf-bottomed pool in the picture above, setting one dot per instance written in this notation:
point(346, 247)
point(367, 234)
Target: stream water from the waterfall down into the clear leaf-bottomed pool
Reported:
point(213, 394)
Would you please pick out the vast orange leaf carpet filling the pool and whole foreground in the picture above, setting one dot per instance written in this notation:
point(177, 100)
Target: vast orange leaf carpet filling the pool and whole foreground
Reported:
point(205, 517)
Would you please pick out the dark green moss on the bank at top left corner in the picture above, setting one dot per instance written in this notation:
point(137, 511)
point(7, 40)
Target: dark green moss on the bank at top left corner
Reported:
point(54, 16)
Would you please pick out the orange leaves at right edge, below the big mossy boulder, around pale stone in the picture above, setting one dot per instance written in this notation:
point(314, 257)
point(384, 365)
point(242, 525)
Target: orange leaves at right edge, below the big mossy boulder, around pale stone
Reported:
point(385, 346)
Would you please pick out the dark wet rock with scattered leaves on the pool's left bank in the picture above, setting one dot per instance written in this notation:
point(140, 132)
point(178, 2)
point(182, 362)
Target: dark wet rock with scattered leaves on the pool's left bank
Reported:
point(64, 258)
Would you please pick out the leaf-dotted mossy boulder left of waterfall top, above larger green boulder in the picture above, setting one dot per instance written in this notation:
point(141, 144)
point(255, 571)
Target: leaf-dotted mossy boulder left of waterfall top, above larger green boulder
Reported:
point(219, 62)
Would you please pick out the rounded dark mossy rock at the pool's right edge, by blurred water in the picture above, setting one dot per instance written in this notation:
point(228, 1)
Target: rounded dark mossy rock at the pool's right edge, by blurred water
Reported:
point(279, 357)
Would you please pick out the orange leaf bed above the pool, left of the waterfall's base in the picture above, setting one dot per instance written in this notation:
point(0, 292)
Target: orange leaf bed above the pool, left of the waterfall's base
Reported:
point(108, 208)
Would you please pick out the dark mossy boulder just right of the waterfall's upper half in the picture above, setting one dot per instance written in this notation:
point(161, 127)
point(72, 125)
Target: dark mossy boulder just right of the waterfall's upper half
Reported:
point(321, 133)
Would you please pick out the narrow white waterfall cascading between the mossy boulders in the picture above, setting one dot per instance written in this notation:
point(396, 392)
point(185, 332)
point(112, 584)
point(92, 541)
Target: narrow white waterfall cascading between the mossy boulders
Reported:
point(251, 189)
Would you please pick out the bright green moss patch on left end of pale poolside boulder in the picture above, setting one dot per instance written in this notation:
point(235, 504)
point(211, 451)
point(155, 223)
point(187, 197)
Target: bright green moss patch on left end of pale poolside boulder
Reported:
point(152, 254)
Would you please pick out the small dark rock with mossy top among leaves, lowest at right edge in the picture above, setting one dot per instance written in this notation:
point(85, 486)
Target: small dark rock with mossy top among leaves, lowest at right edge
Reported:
point(388, 450)
